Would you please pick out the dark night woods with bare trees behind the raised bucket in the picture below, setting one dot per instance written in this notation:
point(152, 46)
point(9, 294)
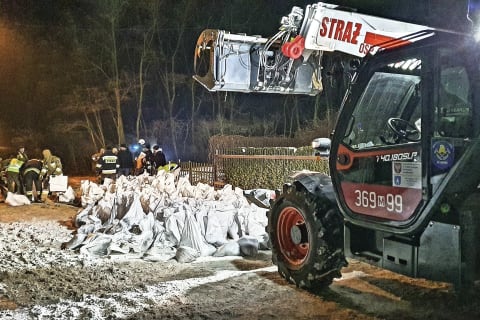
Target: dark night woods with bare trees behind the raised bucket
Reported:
point(75, 74)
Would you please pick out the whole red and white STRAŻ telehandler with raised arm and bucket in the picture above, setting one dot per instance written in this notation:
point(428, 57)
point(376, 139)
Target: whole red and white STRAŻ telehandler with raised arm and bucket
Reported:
point(403, 190)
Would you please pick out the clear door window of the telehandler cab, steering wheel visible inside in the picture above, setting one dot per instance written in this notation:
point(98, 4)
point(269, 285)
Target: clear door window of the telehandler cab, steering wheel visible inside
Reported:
point(389, 110)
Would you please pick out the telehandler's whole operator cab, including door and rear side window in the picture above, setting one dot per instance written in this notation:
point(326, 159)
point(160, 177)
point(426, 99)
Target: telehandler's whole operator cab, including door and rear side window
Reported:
point(409, 120)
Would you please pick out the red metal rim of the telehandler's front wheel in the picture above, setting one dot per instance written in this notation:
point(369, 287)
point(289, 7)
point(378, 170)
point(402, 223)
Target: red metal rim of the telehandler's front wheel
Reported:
point(293, 253)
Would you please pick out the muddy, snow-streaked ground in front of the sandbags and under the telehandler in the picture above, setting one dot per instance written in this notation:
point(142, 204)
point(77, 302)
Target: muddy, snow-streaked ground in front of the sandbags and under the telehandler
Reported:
point(210, 288)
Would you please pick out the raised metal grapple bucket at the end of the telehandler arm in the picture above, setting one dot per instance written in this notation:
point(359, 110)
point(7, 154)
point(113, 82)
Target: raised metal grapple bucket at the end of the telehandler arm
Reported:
point(234, 62)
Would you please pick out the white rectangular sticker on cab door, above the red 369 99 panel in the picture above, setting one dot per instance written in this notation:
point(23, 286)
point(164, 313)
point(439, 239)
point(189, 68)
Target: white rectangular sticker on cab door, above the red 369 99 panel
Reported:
point(407, 174)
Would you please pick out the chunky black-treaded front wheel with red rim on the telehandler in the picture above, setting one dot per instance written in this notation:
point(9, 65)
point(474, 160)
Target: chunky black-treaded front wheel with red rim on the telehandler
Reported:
point(306, 233)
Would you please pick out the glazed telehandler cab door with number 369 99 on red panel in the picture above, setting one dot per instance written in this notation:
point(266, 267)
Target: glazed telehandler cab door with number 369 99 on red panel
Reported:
point(379, 168)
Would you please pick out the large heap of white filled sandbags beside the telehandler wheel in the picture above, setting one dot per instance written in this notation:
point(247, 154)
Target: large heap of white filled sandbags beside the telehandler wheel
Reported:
point(158, 218)
